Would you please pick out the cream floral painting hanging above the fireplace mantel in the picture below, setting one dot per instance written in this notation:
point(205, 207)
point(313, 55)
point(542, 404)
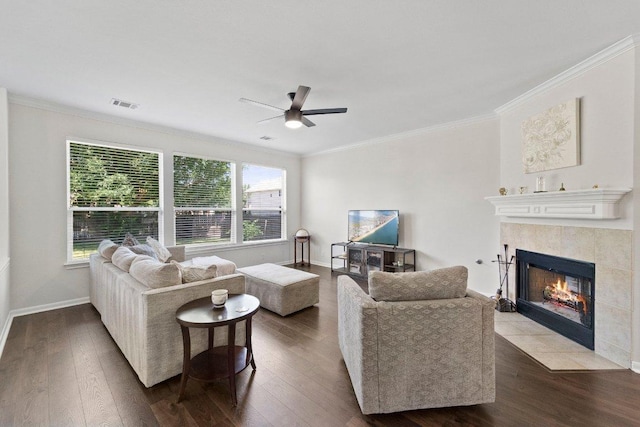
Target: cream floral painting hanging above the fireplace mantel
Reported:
point(551, 139)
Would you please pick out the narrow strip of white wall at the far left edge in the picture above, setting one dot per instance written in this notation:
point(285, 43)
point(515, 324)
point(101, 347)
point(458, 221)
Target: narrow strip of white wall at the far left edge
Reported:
point(4, 217)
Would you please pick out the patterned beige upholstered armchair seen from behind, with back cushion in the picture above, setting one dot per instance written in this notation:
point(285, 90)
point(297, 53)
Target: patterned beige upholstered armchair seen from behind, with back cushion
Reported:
point(417, 340)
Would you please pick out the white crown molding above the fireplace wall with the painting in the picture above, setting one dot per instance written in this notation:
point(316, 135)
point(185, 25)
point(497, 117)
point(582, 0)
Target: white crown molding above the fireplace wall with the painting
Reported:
point(577, 70)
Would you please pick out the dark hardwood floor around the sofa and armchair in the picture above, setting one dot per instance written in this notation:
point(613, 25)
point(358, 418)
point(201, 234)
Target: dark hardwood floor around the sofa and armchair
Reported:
point(61, 368)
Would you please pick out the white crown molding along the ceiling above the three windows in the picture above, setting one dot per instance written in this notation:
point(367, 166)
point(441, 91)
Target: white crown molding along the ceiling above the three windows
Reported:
point(92, 115)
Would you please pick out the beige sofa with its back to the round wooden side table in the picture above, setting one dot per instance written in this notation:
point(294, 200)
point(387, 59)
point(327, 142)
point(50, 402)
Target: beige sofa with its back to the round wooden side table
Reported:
point(141, 319)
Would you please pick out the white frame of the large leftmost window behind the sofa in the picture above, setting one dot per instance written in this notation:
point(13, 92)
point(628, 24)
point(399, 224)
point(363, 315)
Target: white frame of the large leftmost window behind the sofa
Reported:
point(71, 209)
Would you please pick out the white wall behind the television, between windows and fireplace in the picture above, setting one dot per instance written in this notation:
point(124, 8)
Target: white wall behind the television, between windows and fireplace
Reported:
point(437, 179)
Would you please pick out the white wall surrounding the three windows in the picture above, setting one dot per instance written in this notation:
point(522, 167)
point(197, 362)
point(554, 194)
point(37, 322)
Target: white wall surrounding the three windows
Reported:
point(37, 157)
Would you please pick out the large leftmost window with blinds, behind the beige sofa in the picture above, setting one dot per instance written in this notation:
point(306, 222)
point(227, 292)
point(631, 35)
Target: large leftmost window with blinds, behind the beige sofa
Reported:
point(112, 191)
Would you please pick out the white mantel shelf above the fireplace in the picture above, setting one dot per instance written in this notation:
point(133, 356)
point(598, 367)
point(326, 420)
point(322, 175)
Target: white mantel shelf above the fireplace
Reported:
point(595, 203)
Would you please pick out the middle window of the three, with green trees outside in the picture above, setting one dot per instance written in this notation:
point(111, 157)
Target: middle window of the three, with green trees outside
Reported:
point(203, 201)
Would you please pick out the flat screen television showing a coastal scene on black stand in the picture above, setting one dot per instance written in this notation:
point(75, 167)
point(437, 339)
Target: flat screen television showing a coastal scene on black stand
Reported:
point(377, 227)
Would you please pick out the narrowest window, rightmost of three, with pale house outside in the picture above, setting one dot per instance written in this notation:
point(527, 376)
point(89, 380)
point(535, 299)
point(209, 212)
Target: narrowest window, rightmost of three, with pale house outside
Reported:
point(263, 203)
